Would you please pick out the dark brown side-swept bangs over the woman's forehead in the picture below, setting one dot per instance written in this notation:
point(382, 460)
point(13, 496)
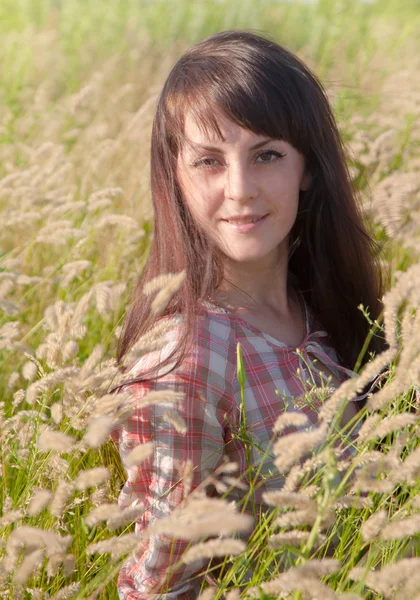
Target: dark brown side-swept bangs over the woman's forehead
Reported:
point(240, 92)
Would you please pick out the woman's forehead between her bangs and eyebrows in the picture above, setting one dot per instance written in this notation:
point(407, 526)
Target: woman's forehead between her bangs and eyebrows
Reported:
point(222, 131)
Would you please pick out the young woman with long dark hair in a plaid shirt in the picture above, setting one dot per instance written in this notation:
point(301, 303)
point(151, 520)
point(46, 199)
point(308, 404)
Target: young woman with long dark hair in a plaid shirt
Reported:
point(252, 200)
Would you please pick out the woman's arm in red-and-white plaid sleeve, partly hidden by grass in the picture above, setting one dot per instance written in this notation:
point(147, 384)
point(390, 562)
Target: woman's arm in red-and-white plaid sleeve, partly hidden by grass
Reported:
point(158, 485)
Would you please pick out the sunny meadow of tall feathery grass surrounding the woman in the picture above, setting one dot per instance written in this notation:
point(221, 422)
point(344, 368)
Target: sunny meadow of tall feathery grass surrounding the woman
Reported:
point(78, 86)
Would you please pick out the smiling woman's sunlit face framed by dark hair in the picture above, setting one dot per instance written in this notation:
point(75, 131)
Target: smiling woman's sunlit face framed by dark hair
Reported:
point(227, 183)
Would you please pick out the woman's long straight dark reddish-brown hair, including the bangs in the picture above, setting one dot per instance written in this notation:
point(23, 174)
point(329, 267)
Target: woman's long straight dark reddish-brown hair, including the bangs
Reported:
point(262, 87)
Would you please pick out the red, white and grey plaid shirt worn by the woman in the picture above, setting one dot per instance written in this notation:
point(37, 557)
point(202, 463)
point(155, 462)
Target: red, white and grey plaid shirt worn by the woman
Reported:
point(211, 410)
